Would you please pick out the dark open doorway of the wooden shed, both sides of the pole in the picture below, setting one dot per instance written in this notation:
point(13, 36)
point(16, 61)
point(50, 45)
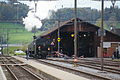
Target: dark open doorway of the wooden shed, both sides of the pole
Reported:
point(85, 44)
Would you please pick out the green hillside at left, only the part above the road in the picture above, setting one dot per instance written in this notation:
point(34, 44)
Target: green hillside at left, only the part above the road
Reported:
point(17, 34)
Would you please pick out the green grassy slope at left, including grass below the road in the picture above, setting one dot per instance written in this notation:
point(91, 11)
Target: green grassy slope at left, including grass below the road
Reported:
point(17, 34)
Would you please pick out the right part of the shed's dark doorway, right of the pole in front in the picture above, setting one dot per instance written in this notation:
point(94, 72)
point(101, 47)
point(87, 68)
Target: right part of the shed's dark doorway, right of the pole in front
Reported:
point(86, 44)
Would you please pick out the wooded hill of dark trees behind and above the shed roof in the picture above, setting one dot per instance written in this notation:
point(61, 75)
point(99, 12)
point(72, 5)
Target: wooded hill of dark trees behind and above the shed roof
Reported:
point(87, 14)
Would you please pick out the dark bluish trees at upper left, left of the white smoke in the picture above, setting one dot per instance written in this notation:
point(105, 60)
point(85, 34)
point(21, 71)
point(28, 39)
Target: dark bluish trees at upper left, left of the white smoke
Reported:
point(11, 11)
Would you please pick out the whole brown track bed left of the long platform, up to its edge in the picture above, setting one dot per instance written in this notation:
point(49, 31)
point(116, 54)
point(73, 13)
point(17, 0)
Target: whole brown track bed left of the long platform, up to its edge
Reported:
point(17, 70)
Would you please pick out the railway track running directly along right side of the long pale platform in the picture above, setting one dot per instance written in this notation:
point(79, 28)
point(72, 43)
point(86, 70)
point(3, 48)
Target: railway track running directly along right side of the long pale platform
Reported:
point(76, 71)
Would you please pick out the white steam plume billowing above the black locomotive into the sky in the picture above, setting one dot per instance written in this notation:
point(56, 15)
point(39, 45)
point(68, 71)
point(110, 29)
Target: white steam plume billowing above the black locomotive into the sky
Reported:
point(34, 19)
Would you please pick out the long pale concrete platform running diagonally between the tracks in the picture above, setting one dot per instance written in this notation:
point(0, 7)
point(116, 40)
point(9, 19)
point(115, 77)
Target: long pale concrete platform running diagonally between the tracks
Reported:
point(60, 74)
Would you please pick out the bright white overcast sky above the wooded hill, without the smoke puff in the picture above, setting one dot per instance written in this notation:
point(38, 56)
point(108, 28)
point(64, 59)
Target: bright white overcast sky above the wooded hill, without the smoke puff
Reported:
point(44, 6)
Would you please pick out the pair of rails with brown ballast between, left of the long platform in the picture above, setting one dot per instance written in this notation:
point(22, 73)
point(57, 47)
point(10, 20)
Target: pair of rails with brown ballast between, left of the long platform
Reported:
point(17, 71)
